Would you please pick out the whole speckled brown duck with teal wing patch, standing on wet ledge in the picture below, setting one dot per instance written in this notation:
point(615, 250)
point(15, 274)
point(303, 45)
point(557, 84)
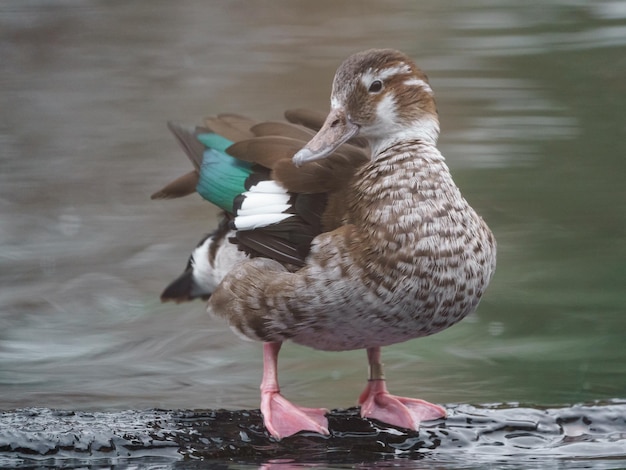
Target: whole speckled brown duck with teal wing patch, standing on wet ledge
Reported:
point(339, 232)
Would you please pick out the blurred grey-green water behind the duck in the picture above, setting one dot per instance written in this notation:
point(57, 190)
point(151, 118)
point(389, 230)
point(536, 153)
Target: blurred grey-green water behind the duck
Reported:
point(532, 101)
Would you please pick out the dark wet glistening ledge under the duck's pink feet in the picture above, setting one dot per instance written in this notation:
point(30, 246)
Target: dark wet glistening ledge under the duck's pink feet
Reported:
point(591, 431)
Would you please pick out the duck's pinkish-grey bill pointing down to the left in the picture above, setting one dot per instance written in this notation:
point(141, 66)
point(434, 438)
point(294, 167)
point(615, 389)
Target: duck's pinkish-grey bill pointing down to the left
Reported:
point(336, 130)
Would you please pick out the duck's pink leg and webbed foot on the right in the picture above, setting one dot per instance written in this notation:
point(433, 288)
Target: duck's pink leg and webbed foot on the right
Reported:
point(377, 403)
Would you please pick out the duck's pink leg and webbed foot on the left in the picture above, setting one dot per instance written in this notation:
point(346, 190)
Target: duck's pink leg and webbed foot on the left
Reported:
point(281, 417)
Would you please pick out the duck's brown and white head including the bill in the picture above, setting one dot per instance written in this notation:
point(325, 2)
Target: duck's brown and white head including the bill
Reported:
point(378, 94)
